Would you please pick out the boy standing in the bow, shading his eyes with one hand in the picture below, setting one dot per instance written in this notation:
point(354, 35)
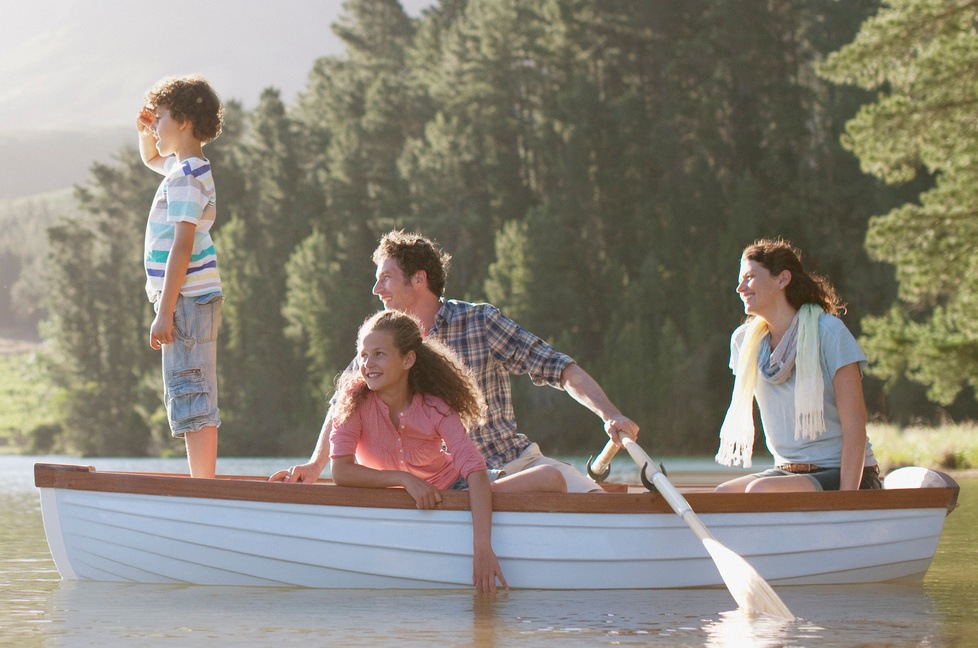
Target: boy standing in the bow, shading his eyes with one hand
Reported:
point(180, 115)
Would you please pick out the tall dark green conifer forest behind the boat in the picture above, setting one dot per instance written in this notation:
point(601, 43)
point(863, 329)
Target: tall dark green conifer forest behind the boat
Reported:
point(594, 168)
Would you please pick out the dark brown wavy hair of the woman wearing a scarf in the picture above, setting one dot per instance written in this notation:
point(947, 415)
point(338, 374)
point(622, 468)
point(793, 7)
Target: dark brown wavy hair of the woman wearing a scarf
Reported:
point(778, 255)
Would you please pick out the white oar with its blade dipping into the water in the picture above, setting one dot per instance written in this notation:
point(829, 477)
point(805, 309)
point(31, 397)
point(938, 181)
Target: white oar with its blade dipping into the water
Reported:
point(751, 592)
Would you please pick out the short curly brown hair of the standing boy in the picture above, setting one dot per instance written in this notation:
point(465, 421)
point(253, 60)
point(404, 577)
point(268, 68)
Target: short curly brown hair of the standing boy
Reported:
point(190, 98)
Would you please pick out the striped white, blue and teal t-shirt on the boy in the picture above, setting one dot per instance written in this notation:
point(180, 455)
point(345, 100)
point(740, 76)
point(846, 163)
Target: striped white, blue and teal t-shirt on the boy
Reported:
point(185, 195)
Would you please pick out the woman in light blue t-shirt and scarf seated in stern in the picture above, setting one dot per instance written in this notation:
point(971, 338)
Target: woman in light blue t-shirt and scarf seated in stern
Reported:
point(804, 367)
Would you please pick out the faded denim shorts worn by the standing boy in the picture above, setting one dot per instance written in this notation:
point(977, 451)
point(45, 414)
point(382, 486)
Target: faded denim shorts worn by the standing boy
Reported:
point(190, 364)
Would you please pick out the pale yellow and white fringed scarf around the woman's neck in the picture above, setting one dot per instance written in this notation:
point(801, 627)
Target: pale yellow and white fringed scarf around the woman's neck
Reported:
point(797, 350)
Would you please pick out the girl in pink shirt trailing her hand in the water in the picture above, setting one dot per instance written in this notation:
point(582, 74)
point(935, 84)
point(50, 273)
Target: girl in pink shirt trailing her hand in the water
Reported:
point(391, 417)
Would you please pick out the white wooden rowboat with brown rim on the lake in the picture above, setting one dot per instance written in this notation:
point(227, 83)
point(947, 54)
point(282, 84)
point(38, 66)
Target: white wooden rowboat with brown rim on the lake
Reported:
point(233, 530)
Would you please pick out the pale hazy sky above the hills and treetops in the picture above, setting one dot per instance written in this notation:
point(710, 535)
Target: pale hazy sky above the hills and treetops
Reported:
point(73, 64)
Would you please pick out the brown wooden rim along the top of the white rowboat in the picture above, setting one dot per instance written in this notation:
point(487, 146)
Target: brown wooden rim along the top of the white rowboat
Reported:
point(325, 493)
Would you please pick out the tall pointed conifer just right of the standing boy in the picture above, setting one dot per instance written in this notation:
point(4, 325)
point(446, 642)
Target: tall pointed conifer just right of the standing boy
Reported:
point(262, 389)
